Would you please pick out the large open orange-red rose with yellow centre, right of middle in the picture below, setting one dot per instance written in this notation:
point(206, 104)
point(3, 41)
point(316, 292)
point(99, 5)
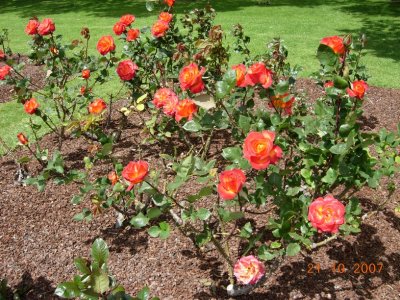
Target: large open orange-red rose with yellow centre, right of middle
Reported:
point(259, 149)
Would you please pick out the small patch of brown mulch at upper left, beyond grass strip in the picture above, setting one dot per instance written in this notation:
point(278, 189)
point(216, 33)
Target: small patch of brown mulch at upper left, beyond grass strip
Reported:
point(31, 71)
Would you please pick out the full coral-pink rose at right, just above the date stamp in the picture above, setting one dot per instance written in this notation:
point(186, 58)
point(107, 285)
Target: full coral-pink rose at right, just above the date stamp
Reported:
point(326, 214)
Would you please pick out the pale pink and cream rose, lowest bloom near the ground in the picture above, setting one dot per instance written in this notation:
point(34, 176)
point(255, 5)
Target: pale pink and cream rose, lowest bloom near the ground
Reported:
point(248, 270)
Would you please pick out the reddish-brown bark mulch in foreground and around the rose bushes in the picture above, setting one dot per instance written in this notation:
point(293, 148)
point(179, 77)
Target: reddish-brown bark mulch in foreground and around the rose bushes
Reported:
point(39, 240)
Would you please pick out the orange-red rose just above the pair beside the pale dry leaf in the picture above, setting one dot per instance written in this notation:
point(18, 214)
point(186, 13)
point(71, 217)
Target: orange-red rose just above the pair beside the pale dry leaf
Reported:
point(190, 78)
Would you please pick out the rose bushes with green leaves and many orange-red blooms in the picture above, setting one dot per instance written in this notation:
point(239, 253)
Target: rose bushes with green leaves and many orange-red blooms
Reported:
point(279, 151)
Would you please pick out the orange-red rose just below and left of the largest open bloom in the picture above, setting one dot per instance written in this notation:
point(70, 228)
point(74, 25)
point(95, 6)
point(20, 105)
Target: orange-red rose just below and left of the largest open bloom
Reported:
point(230, 183)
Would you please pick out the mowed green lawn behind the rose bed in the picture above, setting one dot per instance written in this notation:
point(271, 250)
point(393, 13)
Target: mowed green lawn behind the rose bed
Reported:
point(301, 24)
